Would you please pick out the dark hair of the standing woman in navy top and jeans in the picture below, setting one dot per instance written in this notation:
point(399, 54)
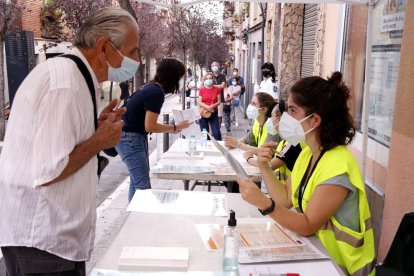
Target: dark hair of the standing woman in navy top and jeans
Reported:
point(169, 72)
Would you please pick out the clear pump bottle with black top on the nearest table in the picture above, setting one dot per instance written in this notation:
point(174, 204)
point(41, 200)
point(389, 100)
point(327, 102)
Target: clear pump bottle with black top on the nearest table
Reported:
point(231, 244)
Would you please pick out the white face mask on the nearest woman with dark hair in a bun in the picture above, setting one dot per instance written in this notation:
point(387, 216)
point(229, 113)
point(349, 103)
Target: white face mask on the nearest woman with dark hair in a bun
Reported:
point(291, 129)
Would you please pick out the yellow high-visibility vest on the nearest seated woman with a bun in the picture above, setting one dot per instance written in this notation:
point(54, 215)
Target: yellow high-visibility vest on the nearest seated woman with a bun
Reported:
point(353, 251)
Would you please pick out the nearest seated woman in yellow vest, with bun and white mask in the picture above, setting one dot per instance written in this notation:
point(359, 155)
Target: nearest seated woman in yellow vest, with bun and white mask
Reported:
point(326, 186)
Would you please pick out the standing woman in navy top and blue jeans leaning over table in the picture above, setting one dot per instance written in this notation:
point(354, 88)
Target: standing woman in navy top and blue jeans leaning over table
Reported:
point(143, 109)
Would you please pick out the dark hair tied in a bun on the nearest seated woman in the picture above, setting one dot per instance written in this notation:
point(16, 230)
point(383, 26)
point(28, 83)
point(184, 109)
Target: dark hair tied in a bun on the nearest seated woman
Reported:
point(329, 99)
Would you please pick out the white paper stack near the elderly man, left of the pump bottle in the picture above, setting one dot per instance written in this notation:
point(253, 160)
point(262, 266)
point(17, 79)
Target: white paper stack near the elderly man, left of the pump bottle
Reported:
point(154, 258)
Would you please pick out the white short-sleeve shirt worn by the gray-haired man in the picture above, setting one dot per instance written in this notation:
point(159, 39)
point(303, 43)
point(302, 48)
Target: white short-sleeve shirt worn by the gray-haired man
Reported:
point(52, 112)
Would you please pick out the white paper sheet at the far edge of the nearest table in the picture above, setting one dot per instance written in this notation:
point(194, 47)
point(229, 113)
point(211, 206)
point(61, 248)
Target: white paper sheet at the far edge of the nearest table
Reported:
point(179, 202)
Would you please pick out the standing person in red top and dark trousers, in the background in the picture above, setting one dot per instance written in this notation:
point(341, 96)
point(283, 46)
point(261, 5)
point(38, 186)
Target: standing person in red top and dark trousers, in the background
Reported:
point(209, 100)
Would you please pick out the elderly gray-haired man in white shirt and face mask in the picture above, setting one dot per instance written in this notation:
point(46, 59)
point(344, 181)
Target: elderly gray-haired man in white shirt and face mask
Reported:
point(48, 165)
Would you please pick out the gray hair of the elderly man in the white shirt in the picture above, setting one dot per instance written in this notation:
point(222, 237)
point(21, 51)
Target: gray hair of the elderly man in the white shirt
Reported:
point(113, 23)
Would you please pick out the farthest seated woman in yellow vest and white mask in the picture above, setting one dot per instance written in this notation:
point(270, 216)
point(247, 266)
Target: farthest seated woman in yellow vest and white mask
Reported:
point(259, 110)
